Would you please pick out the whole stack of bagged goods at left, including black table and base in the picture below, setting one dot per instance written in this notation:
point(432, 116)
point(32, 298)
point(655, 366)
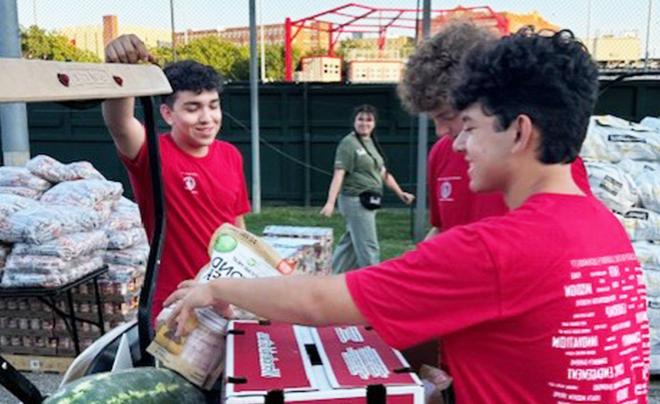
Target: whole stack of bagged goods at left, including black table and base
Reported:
point(58, 223)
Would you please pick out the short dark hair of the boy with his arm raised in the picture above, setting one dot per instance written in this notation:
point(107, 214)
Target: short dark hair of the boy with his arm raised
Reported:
point(189, 75)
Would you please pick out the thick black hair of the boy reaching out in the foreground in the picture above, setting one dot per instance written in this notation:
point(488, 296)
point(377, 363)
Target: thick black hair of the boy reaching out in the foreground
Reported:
point(551, 79)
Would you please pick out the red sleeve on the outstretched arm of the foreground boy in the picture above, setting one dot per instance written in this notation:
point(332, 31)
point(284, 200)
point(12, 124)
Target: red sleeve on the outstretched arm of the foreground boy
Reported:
point(447, 284)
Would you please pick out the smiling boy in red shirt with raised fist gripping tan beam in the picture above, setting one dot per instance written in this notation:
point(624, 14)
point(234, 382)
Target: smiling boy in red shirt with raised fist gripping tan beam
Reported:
point(203, 179)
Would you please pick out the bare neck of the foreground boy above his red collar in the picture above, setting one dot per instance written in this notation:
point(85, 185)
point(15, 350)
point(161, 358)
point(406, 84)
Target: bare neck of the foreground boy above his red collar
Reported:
point(538, 178)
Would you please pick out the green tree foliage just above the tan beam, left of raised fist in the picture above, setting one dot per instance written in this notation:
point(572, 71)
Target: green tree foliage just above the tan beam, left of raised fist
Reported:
point(36, 43)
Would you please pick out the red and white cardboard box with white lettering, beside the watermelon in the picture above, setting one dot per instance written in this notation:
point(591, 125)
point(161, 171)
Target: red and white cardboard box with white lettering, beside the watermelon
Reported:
point(283, 363)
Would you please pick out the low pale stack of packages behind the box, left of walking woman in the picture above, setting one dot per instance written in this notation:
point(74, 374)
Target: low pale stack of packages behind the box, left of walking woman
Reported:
point(297, 238)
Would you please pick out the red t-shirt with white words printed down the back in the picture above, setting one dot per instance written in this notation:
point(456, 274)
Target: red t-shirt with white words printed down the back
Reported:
point(543, 304)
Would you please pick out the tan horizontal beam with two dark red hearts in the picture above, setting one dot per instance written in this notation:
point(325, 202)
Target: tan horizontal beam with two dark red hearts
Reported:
point(24, 80)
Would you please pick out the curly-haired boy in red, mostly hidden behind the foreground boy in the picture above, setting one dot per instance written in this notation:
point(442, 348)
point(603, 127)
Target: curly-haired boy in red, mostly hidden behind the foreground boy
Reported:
point(430, 73)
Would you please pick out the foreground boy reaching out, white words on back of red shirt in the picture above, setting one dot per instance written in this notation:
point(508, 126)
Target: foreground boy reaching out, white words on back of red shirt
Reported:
point(543, 304)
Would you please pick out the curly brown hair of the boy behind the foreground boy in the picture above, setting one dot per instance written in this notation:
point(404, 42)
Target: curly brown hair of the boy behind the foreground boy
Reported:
point(433, 67)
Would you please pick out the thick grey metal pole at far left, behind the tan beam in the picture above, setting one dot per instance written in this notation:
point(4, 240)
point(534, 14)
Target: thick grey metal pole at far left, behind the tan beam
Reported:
point(13, 116)
